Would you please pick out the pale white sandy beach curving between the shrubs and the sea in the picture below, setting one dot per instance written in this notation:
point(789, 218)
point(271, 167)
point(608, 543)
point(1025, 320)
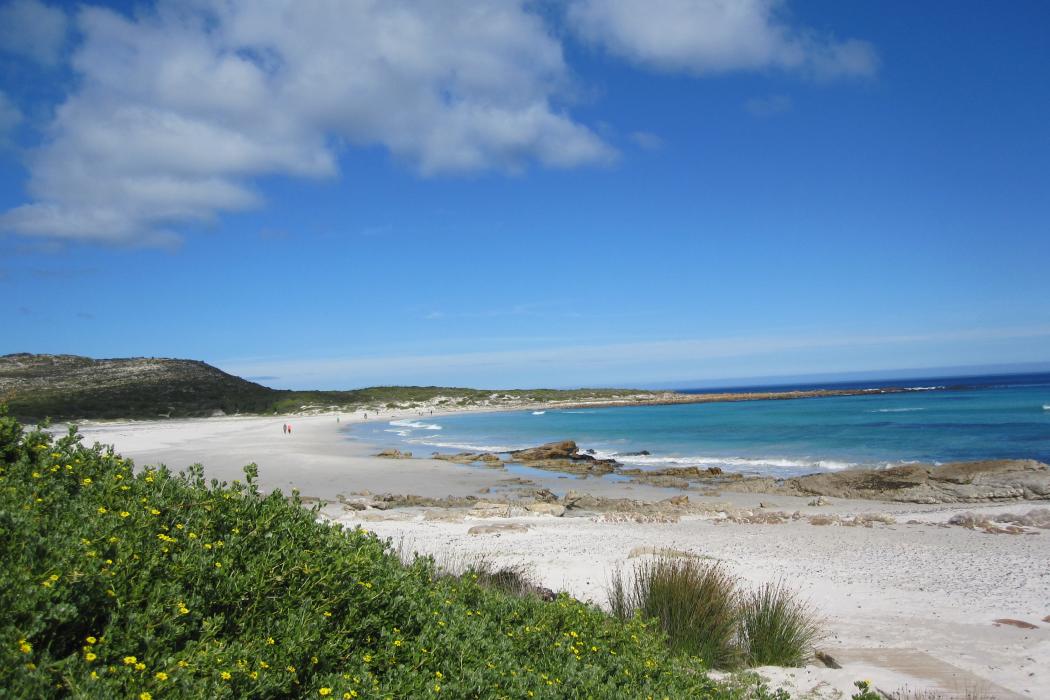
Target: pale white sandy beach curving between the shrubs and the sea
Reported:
point(908, 600)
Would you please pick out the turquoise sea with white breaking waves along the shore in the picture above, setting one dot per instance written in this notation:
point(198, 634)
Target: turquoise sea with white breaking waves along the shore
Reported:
point(979, 418)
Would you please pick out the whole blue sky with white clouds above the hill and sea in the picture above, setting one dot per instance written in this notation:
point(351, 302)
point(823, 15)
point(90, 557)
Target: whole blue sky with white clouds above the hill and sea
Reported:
point(505, 195)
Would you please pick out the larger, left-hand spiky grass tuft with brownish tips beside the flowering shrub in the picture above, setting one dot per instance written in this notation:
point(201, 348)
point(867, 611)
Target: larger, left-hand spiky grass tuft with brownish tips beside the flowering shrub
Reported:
point(695, 603)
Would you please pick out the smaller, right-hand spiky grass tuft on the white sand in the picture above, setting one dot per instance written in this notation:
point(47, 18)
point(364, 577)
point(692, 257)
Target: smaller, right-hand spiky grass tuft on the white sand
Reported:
point(776, 629)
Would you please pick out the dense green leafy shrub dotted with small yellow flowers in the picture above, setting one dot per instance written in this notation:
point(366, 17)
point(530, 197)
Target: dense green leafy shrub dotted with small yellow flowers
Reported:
point(117, 583)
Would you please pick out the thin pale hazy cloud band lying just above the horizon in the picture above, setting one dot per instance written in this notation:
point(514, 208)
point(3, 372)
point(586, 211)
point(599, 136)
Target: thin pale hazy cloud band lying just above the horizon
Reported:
point(658, 362)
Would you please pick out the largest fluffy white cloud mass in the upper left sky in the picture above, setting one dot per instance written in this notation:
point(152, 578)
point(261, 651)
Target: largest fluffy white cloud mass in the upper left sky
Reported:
point(179, 110)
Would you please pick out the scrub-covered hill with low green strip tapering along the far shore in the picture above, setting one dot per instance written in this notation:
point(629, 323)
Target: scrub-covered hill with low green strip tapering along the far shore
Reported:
point(69, 387)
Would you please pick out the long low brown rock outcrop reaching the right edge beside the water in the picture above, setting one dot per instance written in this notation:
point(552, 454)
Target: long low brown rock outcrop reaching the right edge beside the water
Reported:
point(961, 482)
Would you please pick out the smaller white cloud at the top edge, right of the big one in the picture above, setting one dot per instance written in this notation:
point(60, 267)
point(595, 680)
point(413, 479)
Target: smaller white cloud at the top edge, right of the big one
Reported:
point(716, 36)
